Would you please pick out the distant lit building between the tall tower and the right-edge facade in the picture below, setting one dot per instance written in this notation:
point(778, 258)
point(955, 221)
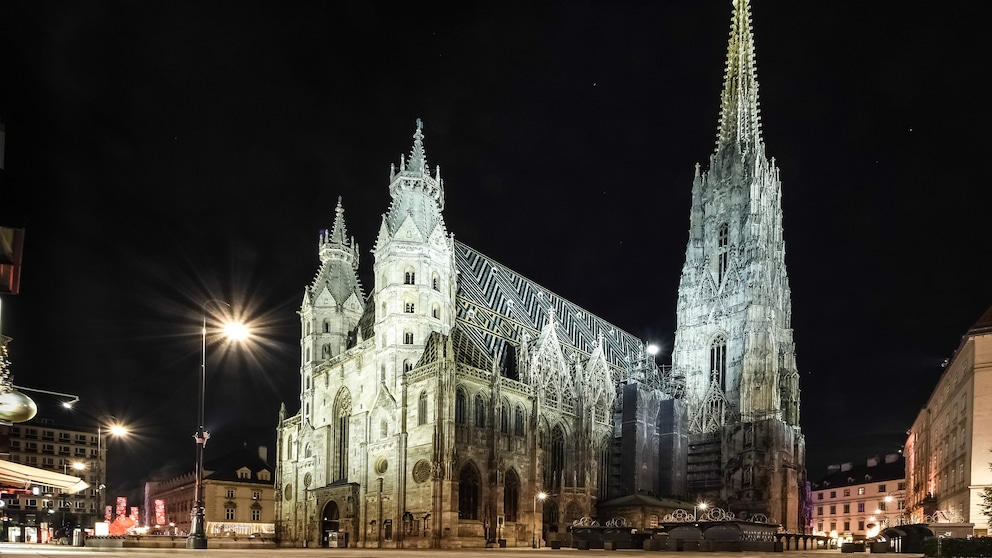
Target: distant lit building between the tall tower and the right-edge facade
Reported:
point(856, 501)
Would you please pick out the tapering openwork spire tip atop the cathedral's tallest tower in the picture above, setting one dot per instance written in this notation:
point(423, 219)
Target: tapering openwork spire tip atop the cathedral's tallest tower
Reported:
point(740, 122)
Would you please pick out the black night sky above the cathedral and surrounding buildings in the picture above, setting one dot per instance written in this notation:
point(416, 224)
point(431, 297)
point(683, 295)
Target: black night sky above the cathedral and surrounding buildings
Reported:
point(160, 154)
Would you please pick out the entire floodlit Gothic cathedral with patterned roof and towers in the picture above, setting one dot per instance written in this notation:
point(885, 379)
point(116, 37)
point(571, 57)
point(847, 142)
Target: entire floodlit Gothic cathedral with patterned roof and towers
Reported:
point(435, 409)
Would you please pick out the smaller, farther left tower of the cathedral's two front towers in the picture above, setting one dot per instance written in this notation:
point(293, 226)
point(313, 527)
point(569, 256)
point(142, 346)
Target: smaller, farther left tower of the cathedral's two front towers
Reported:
point(332, 304)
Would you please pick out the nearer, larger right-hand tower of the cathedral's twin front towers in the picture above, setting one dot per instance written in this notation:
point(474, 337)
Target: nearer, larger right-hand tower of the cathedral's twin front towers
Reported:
point(414, 265)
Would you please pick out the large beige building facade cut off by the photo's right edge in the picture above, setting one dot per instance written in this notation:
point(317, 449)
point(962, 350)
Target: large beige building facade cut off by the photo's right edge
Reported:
point(947, 450)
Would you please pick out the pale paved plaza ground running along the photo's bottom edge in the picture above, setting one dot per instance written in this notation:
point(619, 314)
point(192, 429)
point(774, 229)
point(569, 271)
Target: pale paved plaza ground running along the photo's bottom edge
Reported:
point(14, 550)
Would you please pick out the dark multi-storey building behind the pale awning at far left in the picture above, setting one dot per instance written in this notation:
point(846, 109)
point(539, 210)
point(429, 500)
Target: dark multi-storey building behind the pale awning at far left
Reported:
point(35, 514)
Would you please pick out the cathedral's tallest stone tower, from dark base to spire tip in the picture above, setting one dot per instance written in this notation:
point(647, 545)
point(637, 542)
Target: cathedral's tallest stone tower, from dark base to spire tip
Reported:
point(733, 343)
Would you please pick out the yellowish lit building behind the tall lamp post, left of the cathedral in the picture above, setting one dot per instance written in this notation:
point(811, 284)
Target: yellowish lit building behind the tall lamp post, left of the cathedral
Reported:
point(238, 498)
